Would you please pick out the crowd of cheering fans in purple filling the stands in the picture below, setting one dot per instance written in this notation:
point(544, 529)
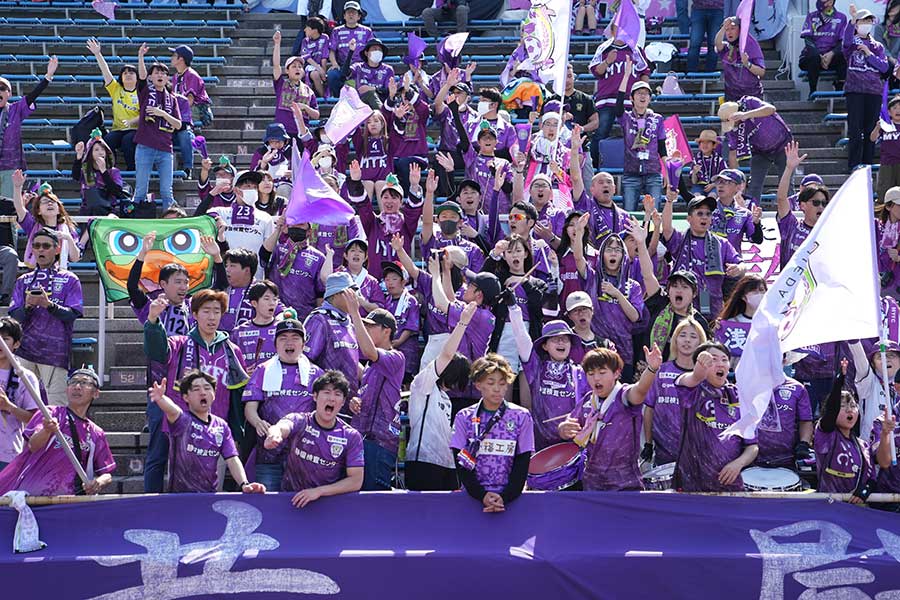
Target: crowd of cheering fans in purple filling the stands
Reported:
point(548, 313)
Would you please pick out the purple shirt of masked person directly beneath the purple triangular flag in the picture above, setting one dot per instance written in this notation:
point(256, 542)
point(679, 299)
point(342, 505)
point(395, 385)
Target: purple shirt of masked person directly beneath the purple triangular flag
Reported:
point(301, 285)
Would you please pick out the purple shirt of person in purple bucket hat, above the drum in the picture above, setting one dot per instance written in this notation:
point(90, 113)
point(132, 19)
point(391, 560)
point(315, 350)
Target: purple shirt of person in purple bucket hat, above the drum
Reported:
point(556, 388)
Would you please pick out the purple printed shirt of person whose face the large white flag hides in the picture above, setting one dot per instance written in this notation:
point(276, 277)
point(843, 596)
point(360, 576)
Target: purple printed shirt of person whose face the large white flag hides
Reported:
point(778, 431)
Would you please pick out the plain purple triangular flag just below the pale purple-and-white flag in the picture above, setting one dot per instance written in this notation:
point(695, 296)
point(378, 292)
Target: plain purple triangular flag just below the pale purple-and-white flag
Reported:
point(313, 200)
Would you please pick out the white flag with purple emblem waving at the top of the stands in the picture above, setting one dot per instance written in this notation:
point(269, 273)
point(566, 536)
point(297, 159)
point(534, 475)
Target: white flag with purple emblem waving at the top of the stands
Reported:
point(545, 36)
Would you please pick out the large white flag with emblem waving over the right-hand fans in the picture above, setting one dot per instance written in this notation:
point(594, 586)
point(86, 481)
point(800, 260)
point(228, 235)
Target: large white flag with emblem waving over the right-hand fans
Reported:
point(827, 292)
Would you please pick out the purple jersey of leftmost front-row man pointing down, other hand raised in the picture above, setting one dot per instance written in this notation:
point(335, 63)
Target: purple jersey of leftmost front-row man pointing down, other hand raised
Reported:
point(194, 450)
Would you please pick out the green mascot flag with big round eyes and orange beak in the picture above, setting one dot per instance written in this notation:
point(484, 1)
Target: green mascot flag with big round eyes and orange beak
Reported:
point(117, 243)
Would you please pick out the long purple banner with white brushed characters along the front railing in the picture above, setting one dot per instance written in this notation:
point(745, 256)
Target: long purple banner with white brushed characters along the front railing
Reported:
point(550, 545)
